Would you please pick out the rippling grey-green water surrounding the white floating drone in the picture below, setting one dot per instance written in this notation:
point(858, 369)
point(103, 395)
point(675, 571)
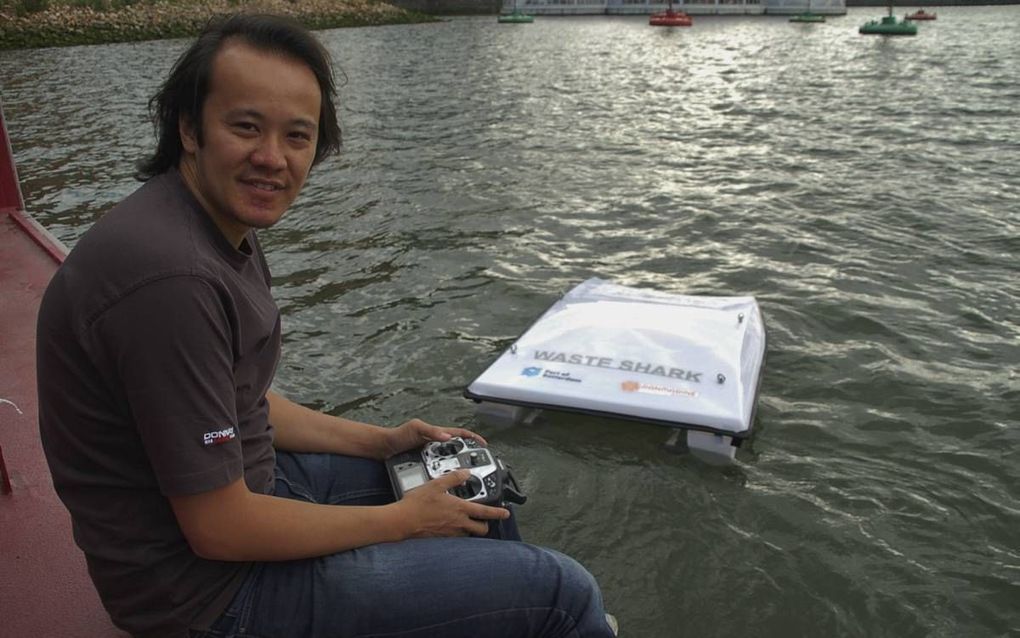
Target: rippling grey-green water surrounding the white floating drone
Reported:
point(865, 190)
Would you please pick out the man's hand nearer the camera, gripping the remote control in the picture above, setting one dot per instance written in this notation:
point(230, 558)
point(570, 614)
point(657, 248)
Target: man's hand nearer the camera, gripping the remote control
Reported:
point(436, 513)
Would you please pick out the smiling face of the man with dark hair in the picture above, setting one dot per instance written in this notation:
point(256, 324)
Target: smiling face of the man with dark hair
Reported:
point(260, 130)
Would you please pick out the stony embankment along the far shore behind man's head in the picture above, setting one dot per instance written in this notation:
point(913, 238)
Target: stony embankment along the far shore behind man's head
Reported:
point(32, 24)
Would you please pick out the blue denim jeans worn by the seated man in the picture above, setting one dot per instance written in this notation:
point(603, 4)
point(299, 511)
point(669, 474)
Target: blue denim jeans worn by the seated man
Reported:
point(418, 588)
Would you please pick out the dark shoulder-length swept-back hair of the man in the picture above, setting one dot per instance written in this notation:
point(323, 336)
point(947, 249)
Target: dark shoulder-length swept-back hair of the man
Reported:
point(185, 91)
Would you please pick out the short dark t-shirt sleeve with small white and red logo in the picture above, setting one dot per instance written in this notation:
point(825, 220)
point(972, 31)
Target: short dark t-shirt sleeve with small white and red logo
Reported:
point(170, 345)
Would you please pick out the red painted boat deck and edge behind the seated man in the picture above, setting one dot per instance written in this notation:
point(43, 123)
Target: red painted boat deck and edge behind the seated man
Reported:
point(45, 590)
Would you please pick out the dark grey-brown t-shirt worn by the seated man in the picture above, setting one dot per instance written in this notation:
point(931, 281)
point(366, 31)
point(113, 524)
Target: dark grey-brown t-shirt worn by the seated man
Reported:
point(158, 343)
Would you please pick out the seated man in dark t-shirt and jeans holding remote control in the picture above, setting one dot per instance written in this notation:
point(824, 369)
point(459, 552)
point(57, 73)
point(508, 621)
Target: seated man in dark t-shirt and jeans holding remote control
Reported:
point(206, 504)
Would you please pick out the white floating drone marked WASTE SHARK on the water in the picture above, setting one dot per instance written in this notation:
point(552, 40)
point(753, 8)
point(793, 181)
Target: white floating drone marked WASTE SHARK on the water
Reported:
point(690, 363)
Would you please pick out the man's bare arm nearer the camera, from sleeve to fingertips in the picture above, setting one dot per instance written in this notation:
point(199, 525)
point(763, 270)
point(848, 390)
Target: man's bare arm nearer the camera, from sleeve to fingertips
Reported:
point(234, 524)
